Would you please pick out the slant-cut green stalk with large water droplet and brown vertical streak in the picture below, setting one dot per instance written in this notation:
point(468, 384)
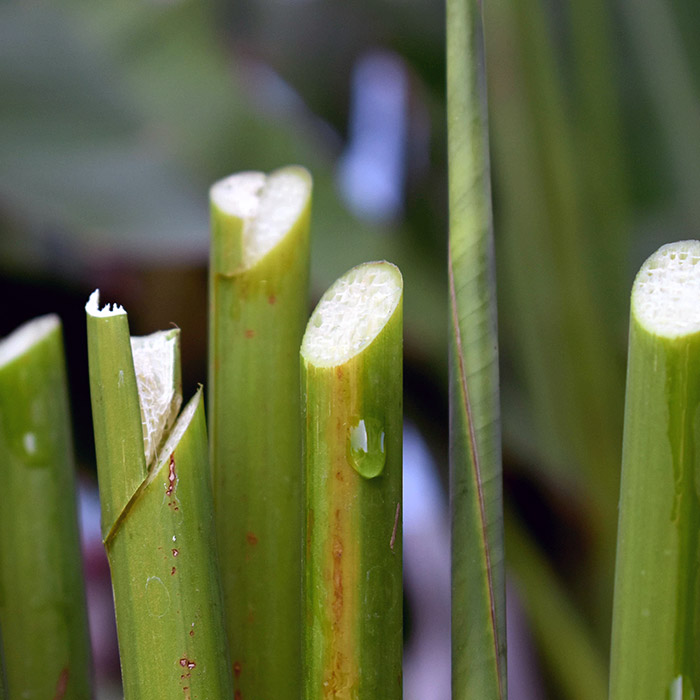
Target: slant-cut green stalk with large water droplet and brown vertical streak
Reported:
point(351, 359)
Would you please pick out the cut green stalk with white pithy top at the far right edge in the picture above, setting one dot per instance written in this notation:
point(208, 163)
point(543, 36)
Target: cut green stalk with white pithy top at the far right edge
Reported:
point(655, 639)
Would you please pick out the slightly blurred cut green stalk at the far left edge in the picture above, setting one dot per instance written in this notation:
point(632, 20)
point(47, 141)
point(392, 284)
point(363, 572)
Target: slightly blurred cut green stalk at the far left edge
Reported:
point(42, 597)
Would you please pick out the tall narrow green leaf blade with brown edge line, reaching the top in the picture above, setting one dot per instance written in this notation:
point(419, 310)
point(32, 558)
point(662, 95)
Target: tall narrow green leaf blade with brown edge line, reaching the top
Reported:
point(478, 579)
